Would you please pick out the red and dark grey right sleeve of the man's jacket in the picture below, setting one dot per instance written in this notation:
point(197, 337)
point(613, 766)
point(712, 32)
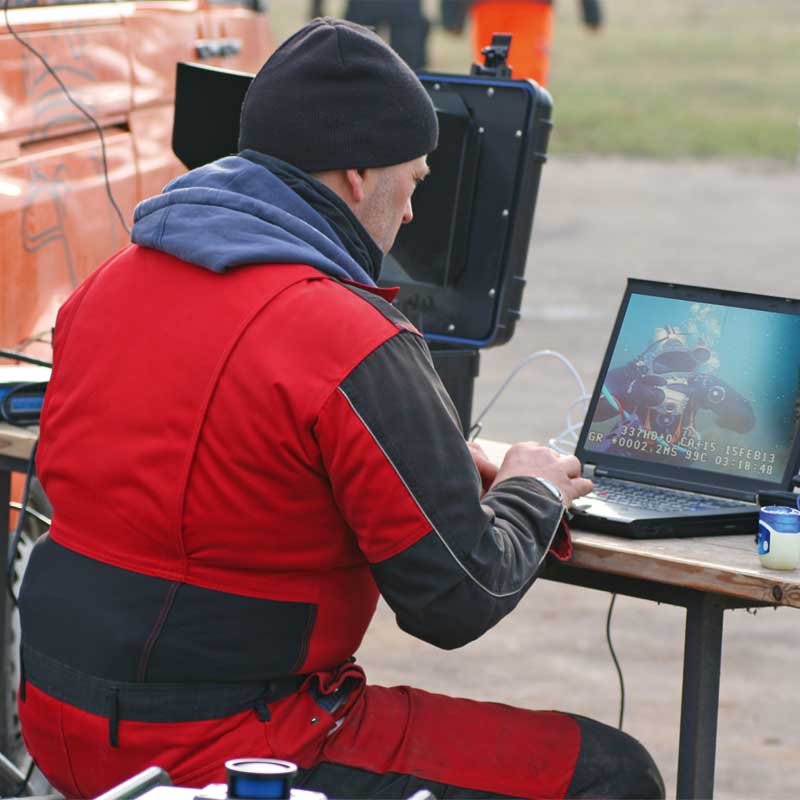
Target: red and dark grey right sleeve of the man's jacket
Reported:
point(449, 563)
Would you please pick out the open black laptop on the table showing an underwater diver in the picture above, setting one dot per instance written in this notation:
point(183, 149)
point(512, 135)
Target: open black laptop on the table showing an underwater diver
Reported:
point(695, 411)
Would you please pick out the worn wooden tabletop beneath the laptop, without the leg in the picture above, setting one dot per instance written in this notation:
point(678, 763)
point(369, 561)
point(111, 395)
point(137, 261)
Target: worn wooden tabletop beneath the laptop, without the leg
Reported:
point(724, 564)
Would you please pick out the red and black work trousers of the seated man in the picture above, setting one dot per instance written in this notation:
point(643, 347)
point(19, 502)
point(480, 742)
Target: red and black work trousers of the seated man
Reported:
point(350, 740)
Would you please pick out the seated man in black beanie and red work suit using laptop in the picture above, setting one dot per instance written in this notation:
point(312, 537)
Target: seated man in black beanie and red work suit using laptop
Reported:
point(244, 443)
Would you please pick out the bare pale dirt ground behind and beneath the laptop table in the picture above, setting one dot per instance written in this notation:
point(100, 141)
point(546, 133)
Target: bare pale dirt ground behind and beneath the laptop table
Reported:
point(734, 225)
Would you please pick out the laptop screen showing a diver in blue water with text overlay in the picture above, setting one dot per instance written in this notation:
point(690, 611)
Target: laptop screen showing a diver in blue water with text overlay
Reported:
point(698, 384)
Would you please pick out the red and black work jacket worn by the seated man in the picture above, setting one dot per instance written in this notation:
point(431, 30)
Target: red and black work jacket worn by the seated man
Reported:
point(239, 463)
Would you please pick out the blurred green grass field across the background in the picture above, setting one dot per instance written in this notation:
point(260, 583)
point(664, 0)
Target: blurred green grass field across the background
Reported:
point(662, 78)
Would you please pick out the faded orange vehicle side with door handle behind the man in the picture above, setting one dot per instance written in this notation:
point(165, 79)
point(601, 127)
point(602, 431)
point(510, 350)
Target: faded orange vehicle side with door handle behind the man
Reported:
point(117, 59)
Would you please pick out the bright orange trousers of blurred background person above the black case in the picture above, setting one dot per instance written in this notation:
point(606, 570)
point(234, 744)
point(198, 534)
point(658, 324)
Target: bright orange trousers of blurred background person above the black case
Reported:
point(531, 24)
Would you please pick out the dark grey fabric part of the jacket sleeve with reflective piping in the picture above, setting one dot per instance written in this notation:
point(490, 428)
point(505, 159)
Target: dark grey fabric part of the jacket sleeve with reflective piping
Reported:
point(481, 553)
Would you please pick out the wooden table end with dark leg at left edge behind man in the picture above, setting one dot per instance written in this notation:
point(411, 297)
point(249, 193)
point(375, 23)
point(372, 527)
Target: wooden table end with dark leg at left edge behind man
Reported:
point(15, 448)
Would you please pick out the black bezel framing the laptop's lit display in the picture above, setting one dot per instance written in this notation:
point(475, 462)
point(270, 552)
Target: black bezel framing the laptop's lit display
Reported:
point(664, 474)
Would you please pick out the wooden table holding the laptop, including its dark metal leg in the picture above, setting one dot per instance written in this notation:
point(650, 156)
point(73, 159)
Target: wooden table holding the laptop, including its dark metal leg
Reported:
point(705, 575)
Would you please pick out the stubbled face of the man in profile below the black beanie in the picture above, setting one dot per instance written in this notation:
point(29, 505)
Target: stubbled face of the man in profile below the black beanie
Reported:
point(387, 199)
